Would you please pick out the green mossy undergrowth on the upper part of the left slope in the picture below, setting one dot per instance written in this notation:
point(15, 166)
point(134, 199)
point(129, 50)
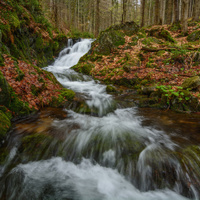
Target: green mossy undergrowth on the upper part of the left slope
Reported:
point(26, 33)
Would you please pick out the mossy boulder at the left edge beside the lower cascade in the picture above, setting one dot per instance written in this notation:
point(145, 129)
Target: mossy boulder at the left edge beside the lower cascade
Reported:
point(4, 124)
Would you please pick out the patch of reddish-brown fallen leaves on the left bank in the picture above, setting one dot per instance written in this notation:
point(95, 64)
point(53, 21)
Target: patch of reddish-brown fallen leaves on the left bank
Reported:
point(34, 88)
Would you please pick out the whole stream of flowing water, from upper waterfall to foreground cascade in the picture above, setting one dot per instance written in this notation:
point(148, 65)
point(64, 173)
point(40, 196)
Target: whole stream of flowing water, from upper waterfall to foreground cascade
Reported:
point(114, 151)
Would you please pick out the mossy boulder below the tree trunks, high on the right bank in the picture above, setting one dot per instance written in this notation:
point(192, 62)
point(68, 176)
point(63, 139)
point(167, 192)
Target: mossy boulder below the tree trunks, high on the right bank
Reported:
point(161, 33)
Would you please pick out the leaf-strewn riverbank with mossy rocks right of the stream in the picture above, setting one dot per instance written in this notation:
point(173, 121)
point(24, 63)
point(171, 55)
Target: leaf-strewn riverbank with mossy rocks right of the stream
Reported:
point(159, 62)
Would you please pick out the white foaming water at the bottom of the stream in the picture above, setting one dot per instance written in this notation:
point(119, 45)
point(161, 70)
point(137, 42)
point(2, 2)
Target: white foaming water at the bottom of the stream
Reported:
point(85, 181)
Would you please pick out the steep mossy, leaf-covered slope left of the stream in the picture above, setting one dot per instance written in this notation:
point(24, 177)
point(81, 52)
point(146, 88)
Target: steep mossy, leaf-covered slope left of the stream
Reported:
point(27, 42)
